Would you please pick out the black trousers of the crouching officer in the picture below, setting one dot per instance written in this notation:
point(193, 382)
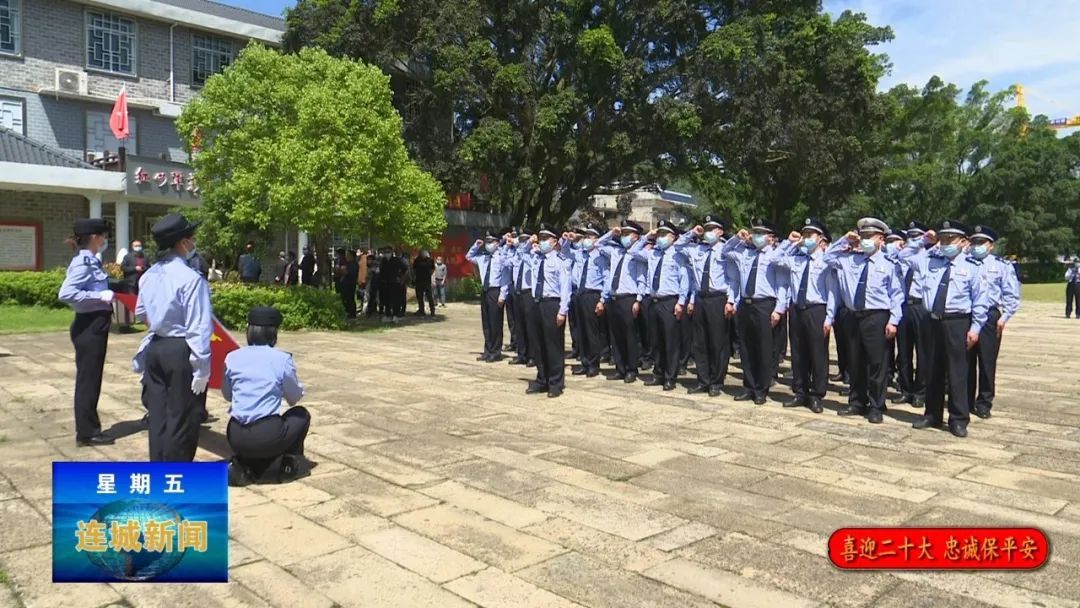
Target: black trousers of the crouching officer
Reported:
point(261, 444)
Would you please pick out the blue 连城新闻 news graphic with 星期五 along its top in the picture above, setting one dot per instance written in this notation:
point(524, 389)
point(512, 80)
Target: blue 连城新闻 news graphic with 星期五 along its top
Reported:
point(141, 522)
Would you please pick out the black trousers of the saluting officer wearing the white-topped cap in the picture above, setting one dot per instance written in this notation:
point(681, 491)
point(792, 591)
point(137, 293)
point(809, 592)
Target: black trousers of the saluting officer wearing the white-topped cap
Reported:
point(867, 346)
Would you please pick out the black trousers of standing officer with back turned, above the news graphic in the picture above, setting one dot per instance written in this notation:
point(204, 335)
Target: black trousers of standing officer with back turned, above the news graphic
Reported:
point(173, 408)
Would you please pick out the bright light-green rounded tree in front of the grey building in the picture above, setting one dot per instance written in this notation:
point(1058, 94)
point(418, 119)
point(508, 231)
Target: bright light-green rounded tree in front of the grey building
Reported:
point(310, 142)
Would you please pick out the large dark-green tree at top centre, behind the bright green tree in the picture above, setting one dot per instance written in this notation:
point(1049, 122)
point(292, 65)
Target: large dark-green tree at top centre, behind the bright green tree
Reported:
point(537, 105)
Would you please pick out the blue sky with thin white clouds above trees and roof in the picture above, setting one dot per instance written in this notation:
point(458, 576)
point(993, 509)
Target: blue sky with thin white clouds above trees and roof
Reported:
point(1032, 43)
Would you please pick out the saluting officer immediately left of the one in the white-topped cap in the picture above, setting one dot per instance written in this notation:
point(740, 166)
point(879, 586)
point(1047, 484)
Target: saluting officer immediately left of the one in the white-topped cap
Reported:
point(813, 306)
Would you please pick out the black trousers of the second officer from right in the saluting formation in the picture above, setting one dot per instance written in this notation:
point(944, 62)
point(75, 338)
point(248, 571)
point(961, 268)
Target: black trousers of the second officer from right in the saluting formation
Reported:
point(948, 368)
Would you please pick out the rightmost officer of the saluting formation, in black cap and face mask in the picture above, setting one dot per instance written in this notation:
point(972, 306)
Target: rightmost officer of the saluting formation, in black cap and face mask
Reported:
point(1003, 290)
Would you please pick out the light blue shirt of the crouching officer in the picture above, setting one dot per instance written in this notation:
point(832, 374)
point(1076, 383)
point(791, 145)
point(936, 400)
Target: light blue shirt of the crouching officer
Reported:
point(256, 380)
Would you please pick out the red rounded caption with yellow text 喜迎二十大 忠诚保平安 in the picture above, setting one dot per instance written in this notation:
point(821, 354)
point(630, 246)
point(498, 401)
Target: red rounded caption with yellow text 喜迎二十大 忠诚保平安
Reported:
point(939, 549)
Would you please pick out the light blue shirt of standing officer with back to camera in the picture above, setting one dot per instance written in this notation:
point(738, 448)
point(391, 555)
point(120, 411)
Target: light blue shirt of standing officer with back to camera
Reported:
point(174, 303)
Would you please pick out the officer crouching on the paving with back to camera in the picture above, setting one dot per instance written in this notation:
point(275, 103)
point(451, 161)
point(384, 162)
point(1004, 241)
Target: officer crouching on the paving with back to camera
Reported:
point(258, 377)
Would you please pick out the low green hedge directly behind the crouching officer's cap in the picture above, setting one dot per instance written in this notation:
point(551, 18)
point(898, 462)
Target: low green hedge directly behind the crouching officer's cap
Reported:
point(302, 307)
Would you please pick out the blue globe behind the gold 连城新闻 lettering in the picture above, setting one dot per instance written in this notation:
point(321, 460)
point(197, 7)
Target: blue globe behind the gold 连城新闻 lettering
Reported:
point(137, 565)
